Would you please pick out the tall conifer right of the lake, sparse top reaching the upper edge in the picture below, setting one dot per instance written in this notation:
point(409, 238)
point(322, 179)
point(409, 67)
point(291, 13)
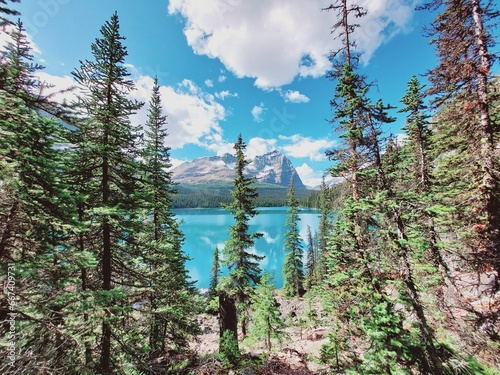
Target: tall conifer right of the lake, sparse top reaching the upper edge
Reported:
point(358, 254)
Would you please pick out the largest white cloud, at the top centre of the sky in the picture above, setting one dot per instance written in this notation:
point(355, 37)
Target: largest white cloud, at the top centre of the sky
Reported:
point(277, 40)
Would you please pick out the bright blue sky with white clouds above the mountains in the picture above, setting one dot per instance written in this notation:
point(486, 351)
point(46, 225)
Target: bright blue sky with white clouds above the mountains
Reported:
point(237, 66)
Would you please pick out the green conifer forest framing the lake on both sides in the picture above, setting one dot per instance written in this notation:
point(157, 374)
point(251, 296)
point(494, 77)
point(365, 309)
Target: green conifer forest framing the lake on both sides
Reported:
point(406, 263)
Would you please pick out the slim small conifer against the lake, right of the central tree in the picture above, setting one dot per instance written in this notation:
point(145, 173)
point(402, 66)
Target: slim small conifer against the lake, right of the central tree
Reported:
point(293, 273)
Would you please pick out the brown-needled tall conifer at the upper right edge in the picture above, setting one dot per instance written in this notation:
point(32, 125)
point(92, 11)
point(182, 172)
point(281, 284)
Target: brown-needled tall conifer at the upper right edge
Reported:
point(462, 38)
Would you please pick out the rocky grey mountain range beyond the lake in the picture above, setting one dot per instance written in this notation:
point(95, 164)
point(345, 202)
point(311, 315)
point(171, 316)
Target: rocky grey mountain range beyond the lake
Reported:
point(272, 168)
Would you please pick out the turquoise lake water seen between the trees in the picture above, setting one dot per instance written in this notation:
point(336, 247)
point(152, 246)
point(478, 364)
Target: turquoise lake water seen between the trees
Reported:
point(205, 229)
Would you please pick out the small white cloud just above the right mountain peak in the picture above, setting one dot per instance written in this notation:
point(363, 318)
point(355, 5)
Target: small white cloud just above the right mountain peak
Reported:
point(307, 147)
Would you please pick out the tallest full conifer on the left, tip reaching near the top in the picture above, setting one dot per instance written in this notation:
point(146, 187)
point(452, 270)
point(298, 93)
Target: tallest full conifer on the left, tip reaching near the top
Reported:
point(108, 142)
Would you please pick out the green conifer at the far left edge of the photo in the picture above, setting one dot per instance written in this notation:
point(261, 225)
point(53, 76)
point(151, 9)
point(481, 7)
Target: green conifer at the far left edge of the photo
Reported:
point(35, 211)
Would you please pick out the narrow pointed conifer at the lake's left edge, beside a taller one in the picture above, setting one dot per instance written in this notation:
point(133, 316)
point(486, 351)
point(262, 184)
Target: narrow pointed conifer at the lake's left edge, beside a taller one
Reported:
point(171, 293)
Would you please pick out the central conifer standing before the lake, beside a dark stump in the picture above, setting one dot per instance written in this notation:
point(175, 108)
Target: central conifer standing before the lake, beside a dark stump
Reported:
point(243, 266)
